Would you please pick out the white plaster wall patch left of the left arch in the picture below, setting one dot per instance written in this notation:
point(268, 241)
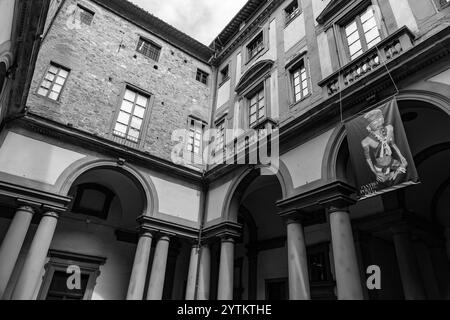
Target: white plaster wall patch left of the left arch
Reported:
point(35, 160)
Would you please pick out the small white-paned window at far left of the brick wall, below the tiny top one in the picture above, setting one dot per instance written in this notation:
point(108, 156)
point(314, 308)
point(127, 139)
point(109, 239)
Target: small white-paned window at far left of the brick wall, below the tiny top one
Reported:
point(53, 82)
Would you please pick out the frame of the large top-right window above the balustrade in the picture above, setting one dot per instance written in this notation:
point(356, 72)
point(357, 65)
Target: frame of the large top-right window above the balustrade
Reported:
point(356, 17)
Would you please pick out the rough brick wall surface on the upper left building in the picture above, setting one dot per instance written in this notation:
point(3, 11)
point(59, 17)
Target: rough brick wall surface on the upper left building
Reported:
point(102, 58)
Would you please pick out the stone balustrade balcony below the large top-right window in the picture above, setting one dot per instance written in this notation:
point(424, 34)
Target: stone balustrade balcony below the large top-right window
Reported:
point(385, 51)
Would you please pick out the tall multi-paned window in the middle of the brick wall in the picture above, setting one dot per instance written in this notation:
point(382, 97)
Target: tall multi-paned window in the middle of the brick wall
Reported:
point(131, 115)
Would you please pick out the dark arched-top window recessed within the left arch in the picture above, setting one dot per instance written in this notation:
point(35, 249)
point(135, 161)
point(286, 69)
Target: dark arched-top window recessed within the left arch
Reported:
point(93, 200)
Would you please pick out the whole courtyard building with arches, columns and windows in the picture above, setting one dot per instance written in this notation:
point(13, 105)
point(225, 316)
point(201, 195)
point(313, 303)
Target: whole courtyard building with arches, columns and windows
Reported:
point(88, 182)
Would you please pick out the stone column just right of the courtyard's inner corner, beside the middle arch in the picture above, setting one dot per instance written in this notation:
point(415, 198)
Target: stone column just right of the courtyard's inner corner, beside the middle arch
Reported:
point(226, 270)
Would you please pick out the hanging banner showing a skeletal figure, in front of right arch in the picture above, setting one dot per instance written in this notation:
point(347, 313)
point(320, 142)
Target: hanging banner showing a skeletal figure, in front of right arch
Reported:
point(379, 151)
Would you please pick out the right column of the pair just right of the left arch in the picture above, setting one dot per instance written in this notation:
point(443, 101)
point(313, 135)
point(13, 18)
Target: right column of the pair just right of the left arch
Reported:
point(156, 284)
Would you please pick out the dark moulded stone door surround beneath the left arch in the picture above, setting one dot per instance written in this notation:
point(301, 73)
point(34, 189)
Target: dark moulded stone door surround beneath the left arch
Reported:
point(61, 260)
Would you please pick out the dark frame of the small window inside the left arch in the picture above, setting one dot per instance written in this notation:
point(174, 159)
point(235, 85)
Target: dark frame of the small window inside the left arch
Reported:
point(102, 214)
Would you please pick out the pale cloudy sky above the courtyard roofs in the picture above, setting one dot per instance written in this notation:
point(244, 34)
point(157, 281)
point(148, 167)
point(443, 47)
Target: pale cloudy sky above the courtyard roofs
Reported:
point(201, 19)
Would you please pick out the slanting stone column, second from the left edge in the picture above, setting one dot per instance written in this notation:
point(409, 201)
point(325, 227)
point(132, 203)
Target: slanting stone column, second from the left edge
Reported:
point(35, 259)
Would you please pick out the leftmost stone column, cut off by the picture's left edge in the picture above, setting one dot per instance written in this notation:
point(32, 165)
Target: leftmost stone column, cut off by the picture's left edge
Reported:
point(12, 244)
